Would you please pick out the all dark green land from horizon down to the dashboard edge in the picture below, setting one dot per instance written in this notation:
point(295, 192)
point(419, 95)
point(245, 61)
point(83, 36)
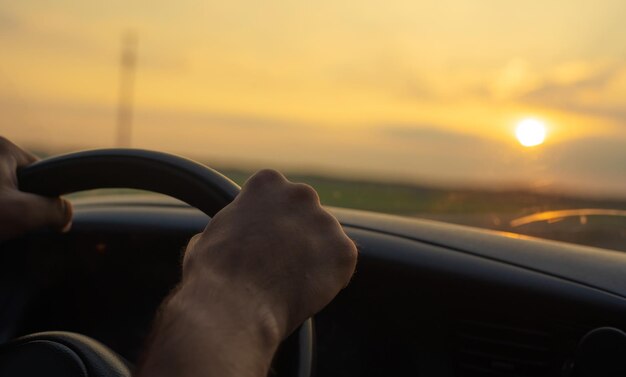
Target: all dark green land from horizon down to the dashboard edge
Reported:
point(492, 209)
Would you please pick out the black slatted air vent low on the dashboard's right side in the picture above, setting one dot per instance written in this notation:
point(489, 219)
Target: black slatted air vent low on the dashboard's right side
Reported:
point(486, 349)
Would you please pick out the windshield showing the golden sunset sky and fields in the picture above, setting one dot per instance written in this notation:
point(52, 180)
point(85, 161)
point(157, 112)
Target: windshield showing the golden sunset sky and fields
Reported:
point(490, 113)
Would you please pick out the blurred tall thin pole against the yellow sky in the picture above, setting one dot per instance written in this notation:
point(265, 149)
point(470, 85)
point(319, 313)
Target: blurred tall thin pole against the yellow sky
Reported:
point(128, 64)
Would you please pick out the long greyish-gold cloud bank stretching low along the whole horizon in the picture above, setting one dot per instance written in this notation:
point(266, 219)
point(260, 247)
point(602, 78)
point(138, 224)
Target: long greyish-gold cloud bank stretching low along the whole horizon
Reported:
point(427, 153)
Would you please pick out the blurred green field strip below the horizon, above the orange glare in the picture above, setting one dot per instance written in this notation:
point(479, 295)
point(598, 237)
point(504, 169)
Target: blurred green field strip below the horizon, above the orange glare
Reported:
point(406, 199)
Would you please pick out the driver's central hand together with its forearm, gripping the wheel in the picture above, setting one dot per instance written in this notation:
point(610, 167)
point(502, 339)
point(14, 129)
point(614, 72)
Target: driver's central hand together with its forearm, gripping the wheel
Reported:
point(265, 263)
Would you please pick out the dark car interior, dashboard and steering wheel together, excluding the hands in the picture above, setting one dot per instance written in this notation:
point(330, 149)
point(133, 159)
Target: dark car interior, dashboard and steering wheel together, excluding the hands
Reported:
point(427, 299)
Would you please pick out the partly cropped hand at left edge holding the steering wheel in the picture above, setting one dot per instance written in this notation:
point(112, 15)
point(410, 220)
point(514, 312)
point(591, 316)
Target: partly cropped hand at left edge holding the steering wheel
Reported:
point(21, 211)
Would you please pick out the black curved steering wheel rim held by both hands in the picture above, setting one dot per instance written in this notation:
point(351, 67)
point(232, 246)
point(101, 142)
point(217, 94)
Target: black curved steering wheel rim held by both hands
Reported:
point(186, 180)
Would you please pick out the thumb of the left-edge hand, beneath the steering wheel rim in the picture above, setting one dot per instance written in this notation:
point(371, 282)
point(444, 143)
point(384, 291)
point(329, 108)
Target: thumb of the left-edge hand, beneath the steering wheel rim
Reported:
point(37, 211)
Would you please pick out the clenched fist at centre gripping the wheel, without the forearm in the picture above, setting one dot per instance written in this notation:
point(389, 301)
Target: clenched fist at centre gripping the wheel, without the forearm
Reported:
point(275, 246)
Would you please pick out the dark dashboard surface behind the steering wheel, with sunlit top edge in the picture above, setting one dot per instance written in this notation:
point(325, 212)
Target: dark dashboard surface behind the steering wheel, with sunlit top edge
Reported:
point(414, 307)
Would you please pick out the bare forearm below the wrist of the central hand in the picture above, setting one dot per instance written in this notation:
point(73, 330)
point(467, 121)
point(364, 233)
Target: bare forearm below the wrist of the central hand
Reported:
point(213, 335)
